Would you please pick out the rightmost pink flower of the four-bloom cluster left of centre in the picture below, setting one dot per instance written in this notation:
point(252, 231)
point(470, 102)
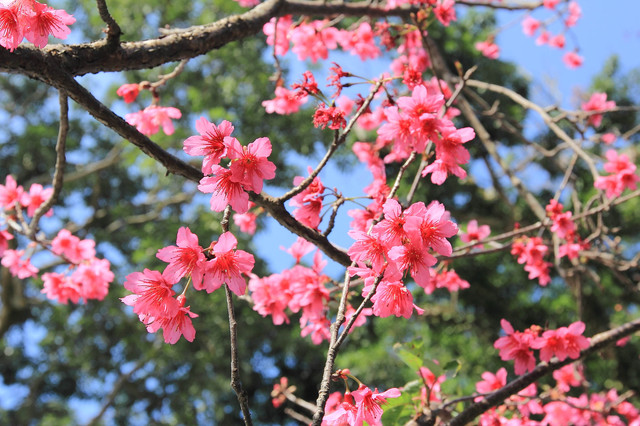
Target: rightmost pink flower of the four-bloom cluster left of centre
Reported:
point(227, 266)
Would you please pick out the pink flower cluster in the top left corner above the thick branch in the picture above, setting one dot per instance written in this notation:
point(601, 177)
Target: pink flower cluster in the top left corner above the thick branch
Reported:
point(31, 20)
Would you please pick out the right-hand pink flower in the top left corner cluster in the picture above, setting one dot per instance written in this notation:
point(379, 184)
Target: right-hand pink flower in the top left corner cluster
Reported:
point(45, 21)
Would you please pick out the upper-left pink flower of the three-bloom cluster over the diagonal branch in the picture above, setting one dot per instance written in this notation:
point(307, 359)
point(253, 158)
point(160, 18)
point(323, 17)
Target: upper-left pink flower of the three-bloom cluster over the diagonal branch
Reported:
point(210, 143)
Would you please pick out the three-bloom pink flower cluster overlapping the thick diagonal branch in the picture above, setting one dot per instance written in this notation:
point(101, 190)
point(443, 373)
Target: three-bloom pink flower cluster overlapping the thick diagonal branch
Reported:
point(248, 166)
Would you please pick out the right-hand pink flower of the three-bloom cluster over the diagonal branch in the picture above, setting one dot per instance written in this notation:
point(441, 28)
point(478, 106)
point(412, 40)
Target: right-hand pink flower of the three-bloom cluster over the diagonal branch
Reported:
point(249, 165)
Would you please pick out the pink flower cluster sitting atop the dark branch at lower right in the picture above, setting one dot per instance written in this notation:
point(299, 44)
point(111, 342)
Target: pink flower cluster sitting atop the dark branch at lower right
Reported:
point(563, 343)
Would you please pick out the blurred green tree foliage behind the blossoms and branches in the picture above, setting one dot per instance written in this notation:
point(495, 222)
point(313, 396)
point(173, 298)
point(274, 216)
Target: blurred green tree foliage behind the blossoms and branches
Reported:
point(60, 364)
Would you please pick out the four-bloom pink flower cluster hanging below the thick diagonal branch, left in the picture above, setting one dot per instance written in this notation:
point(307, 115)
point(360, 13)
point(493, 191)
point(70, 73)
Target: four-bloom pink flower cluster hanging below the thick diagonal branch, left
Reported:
point(208, 269)
